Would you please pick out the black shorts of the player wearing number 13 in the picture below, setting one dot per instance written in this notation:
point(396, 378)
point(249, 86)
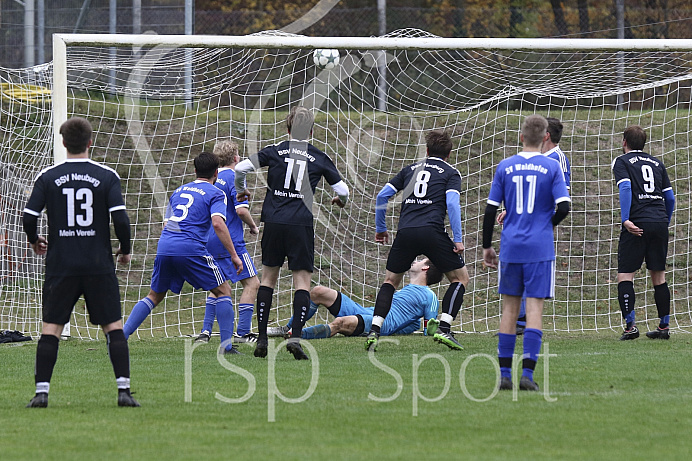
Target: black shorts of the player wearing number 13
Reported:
point(101, 295)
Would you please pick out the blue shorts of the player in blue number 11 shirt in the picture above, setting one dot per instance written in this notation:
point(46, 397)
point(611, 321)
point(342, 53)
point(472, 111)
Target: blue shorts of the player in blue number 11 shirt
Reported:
point(533, 280)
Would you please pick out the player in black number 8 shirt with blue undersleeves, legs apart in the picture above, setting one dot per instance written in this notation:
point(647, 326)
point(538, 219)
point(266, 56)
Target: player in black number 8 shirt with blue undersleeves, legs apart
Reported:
point(430, 189)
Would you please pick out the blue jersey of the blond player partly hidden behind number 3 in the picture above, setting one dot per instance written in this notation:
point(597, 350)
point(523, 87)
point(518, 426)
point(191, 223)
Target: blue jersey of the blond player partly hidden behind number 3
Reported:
point(225, 182)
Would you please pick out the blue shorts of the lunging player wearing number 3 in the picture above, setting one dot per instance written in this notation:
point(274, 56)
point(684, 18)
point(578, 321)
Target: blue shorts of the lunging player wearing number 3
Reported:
point(170, 272)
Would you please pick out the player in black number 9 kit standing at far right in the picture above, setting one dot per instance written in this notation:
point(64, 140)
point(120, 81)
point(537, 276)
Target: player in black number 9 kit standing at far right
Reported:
point(646, 203)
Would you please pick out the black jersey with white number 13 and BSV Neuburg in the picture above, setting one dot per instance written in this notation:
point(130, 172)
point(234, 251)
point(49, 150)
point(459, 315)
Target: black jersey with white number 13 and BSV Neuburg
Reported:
point(78, 196)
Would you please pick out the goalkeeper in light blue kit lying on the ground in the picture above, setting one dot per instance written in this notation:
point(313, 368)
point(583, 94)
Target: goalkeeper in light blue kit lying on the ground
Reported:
point(410, 303)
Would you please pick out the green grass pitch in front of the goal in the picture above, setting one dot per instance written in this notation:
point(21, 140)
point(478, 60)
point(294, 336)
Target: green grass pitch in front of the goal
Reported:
point(607, 399)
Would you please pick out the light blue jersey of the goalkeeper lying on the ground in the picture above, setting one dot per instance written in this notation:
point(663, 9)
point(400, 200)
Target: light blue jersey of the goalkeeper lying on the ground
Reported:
point(408, 306)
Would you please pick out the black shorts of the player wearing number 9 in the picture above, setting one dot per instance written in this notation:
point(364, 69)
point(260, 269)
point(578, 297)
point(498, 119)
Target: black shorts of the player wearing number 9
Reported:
point(652, 246)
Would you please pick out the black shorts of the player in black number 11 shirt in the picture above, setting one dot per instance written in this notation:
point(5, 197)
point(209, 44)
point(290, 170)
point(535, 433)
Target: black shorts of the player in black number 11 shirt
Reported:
point(281, 241)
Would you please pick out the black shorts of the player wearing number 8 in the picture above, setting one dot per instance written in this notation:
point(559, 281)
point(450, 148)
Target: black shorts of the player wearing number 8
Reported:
point(414, 241)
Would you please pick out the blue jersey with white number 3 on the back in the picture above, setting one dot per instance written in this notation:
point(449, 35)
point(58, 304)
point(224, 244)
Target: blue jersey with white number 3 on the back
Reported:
point(188, 219)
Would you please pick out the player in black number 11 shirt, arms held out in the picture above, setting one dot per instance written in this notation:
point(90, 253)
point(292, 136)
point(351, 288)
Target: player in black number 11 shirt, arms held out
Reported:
point(295, 169)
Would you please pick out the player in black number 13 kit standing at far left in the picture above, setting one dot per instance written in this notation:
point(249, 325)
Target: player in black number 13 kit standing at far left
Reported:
point(80, 198)
